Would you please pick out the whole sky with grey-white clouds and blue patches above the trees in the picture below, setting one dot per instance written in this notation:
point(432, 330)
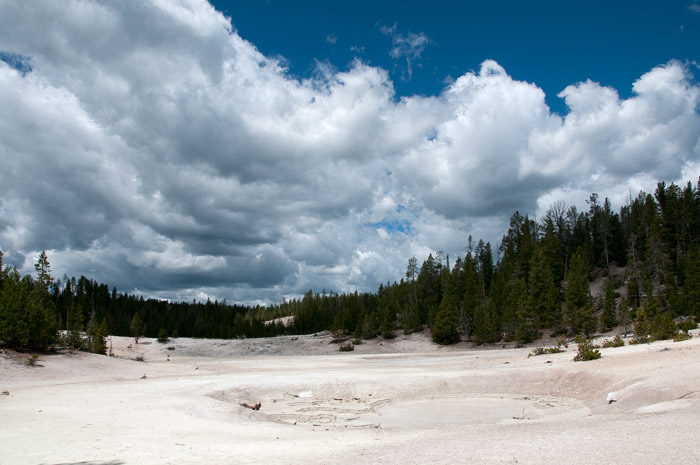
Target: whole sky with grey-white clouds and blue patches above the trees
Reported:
point(252, 151)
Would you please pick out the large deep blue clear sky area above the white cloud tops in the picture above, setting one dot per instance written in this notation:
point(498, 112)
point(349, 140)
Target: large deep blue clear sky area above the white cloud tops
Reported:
point(550, 43)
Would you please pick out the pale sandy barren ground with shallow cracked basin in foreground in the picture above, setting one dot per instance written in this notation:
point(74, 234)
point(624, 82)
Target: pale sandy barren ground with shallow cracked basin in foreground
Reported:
point(404, 401)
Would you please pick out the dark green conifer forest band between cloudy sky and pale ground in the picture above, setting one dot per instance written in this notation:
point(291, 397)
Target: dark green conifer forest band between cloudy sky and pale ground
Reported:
point(538, 280)
